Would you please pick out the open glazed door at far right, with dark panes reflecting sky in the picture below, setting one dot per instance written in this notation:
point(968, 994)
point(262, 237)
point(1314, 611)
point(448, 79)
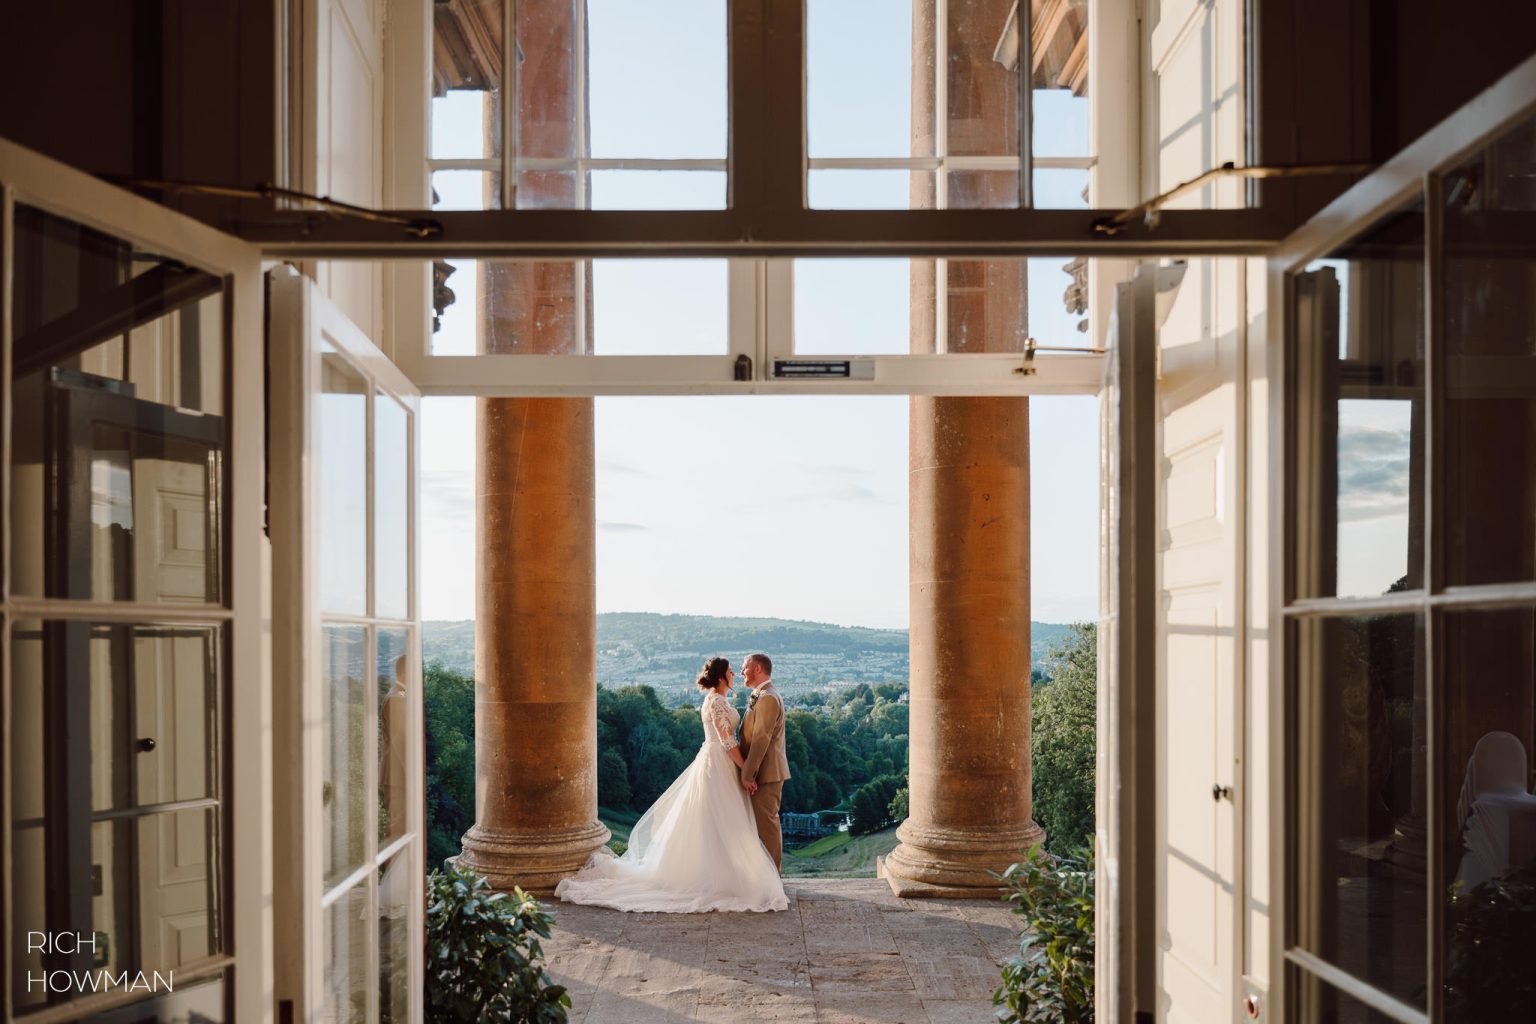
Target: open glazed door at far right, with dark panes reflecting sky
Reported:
point(1408, 607)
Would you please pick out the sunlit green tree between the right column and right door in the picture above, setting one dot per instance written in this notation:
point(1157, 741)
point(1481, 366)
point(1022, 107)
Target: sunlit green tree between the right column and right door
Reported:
point(1064, 741)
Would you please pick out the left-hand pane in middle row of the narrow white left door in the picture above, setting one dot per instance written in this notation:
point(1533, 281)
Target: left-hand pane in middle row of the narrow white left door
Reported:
point(345, 794)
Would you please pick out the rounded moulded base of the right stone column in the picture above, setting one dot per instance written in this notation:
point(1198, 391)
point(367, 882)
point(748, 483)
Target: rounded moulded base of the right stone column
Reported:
point(955, 862)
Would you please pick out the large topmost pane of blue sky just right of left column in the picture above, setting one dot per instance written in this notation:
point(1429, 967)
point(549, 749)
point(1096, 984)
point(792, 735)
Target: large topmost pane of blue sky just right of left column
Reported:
point(657, 74)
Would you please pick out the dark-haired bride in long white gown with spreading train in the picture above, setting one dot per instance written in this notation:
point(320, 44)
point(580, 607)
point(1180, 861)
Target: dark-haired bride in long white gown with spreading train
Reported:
point(697, 848)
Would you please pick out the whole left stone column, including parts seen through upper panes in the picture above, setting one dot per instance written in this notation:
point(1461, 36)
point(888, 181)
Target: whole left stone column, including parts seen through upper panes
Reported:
point(537, 604)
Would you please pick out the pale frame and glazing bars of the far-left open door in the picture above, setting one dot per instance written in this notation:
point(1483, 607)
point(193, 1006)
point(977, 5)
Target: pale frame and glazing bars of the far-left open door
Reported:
point(39, 182)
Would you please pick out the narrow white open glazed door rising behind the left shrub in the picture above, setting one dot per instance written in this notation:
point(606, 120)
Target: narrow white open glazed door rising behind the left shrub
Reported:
point(349, 659)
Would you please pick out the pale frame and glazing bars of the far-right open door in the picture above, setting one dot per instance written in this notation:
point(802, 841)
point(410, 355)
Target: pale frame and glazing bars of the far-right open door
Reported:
point(1412, 173)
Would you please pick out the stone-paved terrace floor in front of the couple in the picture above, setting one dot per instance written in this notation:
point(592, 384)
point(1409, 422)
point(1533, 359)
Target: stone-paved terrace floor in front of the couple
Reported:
point(846, 953)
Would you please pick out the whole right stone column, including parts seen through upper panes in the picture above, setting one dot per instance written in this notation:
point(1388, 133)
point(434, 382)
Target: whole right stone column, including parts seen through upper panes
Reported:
point(970, 802)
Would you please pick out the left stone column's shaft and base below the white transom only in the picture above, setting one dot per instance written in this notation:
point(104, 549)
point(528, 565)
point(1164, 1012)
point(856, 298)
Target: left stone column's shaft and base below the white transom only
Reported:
point(535, 638)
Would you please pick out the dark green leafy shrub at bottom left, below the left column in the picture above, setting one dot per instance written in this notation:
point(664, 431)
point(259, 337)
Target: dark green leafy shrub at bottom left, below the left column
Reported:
point(485, 962)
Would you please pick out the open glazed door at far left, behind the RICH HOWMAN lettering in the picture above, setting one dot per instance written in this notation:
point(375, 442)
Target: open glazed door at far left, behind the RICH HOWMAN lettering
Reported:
point(137, 822)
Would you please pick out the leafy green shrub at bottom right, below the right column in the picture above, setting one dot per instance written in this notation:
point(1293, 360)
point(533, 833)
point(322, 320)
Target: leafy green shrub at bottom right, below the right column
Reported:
point(1053, 979)
